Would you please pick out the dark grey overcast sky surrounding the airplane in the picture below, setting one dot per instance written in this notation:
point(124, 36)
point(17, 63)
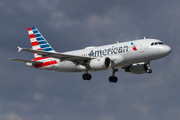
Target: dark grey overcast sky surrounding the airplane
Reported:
point(31, 94)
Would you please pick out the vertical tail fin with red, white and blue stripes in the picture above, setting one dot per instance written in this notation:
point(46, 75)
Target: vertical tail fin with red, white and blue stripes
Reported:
point(38, 42)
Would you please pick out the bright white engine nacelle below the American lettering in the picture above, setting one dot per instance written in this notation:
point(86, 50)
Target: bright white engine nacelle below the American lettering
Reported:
point(100, 63)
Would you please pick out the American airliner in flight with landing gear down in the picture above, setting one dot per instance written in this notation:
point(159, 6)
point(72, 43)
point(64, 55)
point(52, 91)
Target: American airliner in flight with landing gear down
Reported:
point(132, 56)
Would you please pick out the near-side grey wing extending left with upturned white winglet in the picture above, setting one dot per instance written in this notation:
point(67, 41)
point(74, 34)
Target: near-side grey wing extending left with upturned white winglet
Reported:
point(73, 58)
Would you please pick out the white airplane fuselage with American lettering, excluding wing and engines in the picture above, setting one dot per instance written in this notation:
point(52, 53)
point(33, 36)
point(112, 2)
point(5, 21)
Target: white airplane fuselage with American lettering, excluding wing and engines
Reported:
point(123, 54)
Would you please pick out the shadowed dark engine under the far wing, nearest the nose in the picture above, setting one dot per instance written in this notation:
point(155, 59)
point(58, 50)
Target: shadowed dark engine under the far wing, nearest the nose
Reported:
point(139, 68)
